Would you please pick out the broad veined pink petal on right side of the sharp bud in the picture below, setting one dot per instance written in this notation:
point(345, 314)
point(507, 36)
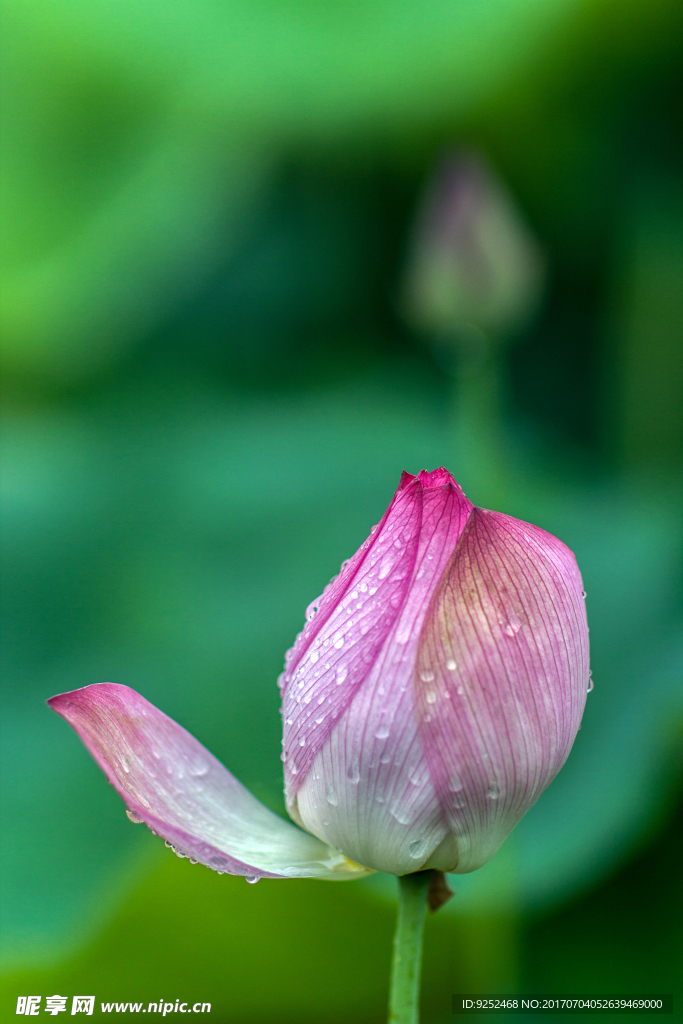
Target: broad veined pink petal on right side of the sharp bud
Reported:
point(501, 677)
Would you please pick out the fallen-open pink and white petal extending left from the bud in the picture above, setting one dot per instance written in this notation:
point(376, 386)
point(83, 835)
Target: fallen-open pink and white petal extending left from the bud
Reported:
point(183, 793)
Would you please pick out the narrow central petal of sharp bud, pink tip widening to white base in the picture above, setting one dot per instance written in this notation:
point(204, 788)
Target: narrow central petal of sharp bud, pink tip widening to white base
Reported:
point(369, 786)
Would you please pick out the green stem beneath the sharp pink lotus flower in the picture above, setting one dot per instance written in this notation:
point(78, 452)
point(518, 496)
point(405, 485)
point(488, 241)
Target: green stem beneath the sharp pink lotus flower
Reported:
point(405, 998)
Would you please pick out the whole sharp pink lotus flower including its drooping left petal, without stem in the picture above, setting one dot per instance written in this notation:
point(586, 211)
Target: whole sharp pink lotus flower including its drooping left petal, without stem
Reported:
point(435, 693)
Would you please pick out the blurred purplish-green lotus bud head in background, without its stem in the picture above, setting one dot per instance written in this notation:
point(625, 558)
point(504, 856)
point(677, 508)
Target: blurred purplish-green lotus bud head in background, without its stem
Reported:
point(474, 261)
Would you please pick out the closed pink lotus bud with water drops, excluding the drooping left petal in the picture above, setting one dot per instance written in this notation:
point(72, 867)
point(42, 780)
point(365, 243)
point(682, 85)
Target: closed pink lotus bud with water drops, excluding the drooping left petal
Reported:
point(438, 687)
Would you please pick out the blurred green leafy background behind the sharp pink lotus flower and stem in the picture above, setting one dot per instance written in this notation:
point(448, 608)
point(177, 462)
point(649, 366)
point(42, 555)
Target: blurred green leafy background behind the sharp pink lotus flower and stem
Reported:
point(216, 369)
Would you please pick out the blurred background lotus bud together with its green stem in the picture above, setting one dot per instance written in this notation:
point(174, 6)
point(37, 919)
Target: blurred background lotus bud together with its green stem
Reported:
point(474, 279)
